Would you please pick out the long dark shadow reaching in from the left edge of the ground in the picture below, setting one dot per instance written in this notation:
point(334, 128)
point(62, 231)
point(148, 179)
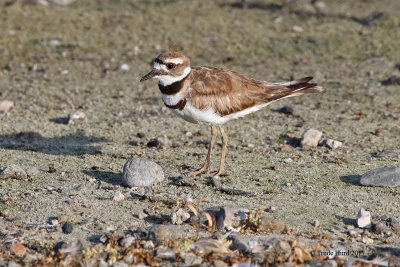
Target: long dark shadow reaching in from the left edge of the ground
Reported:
point(74, 144)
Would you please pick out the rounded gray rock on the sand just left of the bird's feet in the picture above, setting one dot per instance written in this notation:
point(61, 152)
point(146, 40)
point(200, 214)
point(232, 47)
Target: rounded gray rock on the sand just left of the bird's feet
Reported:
point(141, 173)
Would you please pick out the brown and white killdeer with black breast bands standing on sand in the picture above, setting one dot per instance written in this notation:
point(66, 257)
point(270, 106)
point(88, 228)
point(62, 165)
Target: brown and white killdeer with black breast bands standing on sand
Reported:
point(215, 96)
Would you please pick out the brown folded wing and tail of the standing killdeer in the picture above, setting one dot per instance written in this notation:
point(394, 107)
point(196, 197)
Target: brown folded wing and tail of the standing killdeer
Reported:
point(229, 92)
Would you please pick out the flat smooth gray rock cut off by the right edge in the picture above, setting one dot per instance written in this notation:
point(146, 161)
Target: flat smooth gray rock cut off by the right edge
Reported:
point(386, 176)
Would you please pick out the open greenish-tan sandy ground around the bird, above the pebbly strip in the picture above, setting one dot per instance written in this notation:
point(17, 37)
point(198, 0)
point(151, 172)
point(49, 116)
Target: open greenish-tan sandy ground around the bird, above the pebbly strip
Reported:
point(56, 60)
